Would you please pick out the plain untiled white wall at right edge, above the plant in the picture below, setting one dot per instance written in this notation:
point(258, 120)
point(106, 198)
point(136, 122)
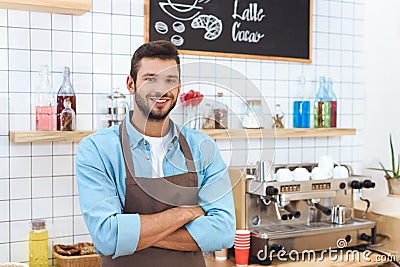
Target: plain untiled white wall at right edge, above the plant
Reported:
point(382, 97)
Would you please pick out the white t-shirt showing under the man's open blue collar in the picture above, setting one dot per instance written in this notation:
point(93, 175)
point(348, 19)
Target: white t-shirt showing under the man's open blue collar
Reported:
point(158, 149)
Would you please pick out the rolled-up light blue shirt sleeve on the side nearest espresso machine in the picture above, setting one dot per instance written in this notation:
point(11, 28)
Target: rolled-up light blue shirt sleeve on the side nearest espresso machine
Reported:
point(216, 230)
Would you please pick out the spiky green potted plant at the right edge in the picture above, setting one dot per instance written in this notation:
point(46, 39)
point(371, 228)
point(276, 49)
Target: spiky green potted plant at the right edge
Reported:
point(392, 175)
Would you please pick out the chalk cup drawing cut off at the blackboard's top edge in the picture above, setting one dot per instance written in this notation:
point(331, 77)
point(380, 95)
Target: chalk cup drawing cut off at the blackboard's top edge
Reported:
point(178, 11)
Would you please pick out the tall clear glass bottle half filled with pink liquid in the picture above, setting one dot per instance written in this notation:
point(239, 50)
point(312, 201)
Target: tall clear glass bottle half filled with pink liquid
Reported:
point(44, 102)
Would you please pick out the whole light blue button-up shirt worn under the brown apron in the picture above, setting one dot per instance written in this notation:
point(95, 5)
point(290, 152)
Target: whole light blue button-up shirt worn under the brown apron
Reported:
point(100, 172)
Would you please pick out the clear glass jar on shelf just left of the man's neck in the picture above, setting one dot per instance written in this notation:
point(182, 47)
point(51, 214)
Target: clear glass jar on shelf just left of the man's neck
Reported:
point(118, 107)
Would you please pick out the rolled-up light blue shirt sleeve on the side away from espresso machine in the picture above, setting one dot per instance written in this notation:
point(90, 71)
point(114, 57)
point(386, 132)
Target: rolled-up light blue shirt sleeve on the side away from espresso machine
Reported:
point(113, 233)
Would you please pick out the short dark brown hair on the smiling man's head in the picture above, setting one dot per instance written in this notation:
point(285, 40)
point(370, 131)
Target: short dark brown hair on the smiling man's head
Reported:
point(155, 49)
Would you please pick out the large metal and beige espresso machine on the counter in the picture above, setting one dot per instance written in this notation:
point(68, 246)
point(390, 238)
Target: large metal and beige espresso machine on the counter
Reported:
point(303, 215)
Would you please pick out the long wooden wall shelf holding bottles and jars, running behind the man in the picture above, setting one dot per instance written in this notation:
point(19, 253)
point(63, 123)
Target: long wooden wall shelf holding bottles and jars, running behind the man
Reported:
point(76, 136)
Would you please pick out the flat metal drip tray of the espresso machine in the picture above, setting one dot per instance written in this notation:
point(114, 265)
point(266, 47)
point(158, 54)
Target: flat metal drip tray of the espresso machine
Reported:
point(303, 229)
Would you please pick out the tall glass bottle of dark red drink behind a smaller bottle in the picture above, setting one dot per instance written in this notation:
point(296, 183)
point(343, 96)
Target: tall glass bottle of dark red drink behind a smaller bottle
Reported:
point(66, 92)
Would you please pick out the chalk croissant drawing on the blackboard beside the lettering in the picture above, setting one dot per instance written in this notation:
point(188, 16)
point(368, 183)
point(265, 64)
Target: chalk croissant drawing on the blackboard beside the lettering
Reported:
point(210, 23)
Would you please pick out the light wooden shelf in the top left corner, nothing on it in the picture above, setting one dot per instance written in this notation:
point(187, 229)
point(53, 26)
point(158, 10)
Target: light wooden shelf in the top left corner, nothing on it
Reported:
point(69, 7)
